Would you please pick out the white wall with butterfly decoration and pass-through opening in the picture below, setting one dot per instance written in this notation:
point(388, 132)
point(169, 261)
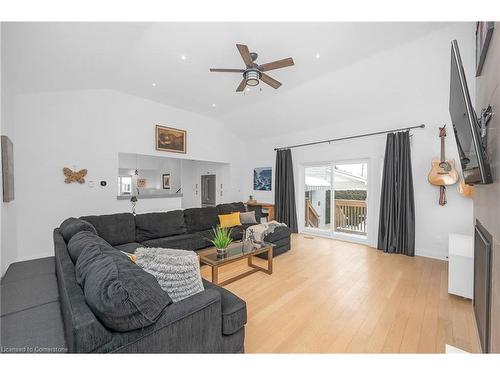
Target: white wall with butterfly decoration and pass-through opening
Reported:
point(87, 129)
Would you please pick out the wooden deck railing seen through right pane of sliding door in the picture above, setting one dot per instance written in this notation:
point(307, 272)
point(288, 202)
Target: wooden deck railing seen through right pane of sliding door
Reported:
point(350, 216)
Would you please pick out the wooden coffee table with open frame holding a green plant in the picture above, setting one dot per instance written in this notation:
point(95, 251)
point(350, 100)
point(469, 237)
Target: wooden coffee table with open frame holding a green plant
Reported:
point(235, 252)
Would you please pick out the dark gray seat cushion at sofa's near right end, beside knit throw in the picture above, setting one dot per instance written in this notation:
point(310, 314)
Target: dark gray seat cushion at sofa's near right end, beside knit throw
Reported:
point(234, 309)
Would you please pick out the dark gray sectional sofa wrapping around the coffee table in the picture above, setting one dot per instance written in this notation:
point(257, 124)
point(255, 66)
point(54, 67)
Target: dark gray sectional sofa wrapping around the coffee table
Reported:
point(212, 321)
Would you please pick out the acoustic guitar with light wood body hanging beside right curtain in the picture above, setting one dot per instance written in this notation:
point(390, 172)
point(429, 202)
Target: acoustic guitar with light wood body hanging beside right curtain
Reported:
point(443, 172)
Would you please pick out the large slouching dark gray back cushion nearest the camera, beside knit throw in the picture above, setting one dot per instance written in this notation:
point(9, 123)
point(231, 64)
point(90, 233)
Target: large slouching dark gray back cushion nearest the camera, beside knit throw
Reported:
point(121, 294)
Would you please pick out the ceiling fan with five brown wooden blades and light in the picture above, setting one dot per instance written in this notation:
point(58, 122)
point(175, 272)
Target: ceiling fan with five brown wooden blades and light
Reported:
point(255, 72)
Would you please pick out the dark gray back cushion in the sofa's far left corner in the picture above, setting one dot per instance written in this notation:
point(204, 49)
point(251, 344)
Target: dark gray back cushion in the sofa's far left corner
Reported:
point(117, 229)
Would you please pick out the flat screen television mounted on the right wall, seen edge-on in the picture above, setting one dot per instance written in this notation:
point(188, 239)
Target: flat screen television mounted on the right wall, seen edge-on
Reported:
point(473, 158)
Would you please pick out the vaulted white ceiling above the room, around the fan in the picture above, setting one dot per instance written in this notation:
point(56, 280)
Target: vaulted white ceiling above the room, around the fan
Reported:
point(130, 57)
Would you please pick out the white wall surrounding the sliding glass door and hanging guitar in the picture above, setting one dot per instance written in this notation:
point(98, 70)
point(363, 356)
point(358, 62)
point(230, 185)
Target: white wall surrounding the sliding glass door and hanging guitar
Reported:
point(418, 93)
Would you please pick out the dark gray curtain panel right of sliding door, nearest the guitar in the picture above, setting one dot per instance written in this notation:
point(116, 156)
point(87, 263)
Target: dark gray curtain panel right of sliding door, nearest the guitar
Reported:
point(396, 232)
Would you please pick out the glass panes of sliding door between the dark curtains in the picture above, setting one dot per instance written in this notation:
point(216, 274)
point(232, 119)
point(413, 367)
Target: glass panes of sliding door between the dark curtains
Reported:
point(335, 198)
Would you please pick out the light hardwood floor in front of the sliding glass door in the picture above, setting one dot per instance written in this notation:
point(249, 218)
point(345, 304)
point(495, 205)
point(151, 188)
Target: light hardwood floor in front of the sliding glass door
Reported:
point(328, 296)
